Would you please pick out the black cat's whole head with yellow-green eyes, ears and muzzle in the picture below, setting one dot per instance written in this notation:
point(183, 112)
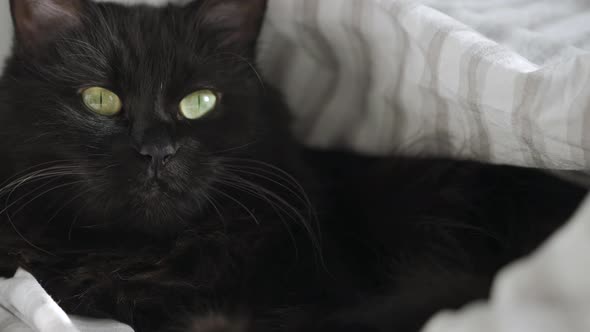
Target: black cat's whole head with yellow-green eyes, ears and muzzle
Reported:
point(140, 106)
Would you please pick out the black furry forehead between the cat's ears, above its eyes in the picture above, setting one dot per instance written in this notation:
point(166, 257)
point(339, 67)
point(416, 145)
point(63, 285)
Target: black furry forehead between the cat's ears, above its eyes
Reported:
point(138, 47)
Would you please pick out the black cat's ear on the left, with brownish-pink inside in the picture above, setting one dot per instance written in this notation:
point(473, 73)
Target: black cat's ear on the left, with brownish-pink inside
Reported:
point(37, 21)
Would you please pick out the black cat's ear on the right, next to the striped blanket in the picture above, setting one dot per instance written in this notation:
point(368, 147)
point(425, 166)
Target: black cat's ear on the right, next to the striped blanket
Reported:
point(236, 22)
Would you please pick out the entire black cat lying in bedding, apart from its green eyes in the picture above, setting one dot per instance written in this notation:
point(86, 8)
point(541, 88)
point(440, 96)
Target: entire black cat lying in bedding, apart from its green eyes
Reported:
point(223, 223)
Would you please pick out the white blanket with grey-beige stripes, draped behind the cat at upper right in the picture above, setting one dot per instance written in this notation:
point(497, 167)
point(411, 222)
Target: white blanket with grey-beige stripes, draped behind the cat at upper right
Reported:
point(389, 76)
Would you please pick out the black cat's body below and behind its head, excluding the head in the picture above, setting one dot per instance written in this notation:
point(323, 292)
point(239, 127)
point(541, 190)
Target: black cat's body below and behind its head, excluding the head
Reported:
point(430, 237)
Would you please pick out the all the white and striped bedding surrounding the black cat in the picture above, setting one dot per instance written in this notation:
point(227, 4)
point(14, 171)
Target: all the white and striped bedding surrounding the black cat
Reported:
point(504, 81)
